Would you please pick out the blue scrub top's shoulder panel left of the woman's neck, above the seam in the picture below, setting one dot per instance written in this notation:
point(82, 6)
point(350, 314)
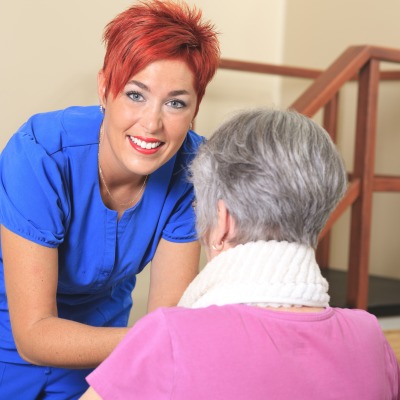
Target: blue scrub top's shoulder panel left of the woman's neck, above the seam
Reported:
point(55, 130)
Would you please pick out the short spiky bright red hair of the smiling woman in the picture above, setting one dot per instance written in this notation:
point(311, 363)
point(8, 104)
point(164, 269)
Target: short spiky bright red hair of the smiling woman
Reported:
point(157, 30)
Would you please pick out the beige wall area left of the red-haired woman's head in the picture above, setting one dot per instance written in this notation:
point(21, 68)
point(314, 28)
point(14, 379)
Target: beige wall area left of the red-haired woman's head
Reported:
point(50, 54)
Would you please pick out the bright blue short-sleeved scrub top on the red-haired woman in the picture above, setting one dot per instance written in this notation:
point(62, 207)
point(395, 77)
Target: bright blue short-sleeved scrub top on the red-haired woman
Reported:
point(50, 194)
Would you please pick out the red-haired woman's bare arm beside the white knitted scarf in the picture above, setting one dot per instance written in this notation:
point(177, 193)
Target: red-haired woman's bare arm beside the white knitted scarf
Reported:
point(173, 267)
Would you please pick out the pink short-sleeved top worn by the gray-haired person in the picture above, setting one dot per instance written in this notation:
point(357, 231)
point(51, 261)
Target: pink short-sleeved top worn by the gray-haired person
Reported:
point(249, 353)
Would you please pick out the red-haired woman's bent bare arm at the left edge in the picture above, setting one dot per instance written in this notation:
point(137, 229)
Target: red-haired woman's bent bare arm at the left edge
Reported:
point(31, 276)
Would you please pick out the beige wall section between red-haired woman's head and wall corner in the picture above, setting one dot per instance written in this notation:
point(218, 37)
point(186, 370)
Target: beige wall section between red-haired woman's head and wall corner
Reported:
point(250, 30)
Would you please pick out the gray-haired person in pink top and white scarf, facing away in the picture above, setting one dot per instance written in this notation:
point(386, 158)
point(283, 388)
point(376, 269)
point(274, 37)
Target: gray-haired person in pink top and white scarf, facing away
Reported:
point(256, 322)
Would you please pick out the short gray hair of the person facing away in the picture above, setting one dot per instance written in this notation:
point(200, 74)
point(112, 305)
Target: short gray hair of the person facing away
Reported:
point(278, 172)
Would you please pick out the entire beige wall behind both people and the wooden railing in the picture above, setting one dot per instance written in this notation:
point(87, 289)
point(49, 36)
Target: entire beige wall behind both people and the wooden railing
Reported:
point(51, 52)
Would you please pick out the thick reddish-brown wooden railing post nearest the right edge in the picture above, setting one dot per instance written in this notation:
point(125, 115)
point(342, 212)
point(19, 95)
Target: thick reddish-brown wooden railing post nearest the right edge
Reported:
point(360, 236)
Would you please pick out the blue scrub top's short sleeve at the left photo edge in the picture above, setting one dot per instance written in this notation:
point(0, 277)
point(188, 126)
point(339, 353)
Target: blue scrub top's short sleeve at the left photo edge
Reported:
point(33, 200)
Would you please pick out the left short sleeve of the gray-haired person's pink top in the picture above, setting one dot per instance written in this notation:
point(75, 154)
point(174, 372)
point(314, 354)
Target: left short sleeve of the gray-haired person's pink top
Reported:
point(141, 366)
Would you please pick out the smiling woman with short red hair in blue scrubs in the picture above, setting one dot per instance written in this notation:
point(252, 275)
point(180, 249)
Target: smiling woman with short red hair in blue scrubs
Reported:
point(90, 195)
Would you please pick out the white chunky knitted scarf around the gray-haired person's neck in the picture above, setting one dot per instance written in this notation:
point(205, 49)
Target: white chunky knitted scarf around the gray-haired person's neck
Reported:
point(275, 274)
